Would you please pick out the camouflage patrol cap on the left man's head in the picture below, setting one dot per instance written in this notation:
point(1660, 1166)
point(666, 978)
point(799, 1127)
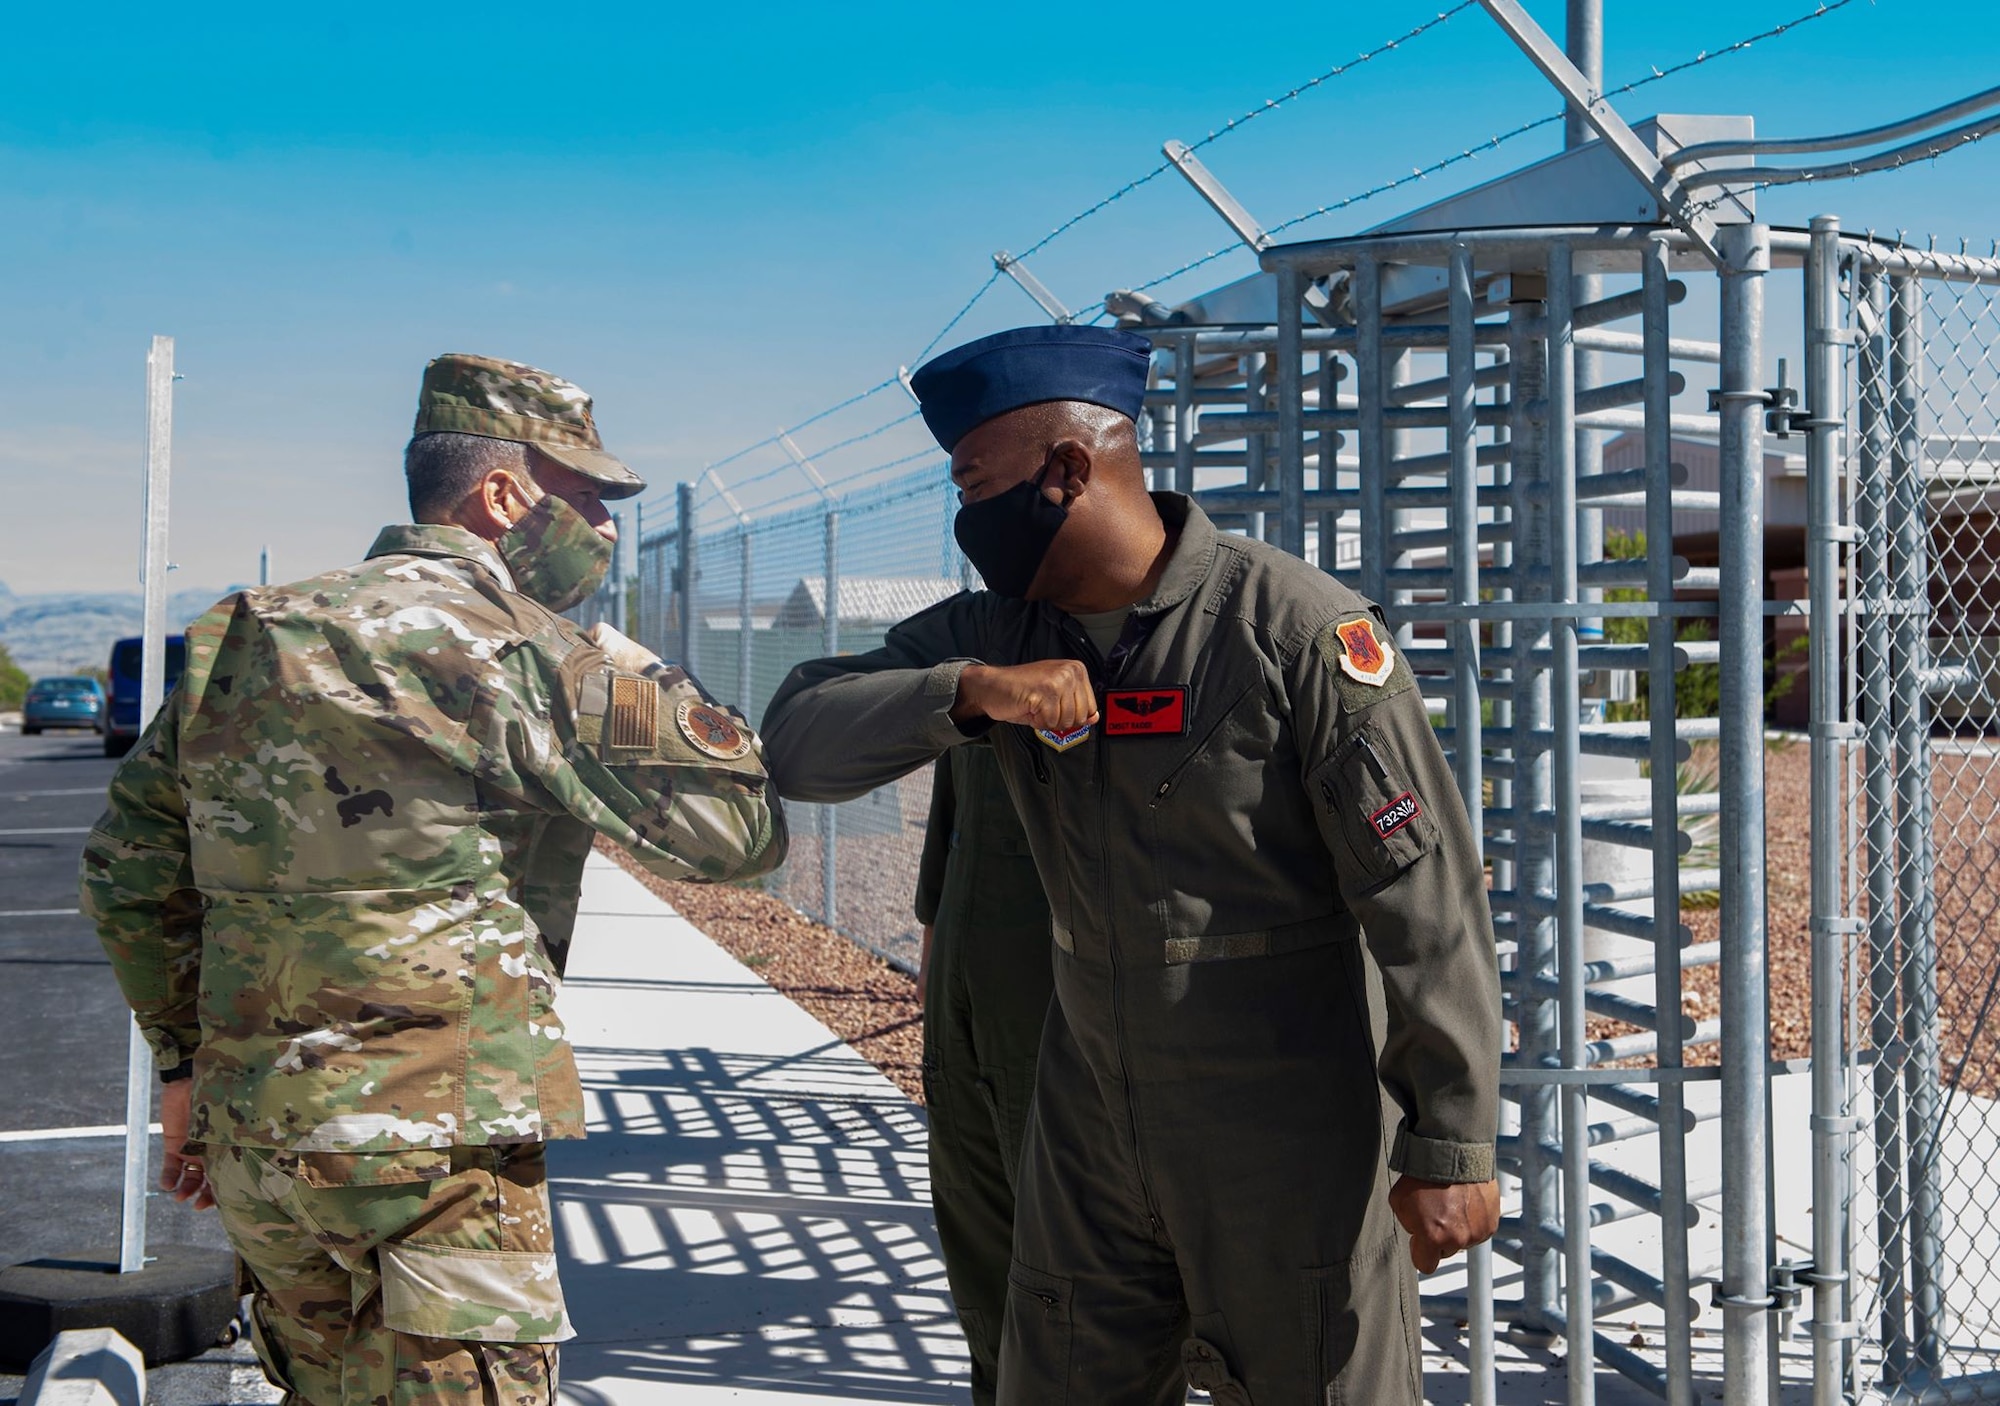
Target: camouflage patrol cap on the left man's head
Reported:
point(509, 401)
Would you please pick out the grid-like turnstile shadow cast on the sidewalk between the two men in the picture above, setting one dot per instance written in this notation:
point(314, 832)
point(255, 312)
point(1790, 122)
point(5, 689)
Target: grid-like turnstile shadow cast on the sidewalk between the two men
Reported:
point(741, 1223)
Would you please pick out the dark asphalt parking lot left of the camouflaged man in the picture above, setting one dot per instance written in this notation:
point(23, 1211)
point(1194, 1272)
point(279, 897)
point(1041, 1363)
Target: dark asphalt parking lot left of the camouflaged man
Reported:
point(65, 1037)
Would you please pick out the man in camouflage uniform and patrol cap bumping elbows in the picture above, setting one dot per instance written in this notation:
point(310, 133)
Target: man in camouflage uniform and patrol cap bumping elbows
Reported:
point(339, 873)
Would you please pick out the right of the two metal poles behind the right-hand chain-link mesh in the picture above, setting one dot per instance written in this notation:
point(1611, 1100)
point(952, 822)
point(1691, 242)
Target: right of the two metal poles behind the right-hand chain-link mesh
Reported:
point(1909, 537)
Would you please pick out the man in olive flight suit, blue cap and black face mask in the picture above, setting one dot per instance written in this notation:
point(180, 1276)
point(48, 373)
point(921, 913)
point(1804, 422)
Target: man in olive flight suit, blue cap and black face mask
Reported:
point(1229, 783)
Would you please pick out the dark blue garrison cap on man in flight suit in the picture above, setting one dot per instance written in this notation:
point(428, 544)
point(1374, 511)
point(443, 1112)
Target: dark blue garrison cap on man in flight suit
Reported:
point(1027, 367)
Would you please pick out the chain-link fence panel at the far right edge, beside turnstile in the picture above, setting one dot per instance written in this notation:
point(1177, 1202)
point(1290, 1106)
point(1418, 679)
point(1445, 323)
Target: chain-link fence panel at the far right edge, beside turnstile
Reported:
point(1923, 785)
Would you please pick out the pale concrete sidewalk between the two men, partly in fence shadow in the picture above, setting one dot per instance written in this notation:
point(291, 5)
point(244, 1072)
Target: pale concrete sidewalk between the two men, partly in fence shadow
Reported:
point(751, 1215)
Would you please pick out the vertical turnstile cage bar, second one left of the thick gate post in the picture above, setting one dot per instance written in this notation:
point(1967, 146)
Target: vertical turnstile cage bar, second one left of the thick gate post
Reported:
point(1561, 475)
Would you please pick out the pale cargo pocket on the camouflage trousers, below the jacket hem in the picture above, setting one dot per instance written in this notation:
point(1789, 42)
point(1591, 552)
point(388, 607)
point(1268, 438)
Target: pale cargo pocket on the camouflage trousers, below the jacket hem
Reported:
point(473, 1295)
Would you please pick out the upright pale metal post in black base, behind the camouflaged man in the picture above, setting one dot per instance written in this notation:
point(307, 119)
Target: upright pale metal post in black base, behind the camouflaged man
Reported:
point(151, 693)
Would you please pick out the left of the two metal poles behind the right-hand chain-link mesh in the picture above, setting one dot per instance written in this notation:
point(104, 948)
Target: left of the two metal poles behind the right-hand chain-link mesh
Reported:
point(1879, 779)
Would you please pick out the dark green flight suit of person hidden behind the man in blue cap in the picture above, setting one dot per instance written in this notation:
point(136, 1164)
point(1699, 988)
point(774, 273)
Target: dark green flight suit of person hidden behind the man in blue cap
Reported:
point(985, 1001)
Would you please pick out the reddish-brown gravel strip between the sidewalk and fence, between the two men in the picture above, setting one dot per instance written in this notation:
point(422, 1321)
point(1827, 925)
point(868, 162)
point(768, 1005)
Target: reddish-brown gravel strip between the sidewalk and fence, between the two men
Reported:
point(853, 993)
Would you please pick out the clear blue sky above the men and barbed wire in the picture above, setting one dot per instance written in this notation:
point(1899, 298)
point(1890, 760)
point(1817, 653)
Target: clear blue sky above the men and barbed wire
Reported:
point(719, 219)
